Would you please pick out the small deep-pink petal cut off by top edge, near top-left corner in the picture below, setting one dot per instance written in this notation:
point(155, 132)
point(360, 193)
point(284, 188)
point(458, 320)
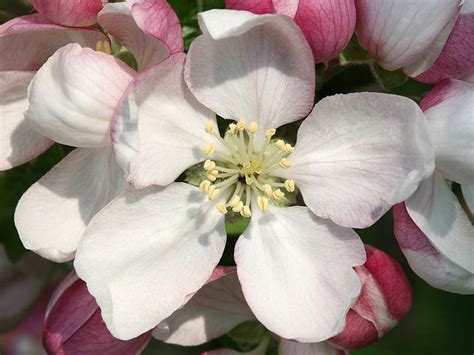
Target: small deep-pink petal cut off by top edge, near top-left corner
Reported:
point(77, 13)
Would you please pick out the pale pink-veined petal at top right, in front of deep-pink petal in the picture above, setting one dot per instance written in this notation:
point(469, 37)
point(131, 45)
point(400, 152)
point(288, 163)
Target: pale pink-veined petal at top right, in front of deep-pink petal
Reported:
point(397, 32)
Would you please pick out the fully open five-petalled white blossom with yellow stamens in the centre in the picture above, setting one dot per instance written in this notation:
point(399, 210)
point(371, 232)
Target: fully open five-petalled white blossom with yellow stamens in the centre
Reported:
point(149, 249)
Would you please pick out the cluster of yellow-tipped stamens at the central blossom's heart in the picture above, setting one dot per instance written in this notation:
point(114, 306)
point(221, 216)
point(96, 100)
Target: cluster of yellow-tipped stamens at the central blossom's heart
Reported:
point(245, 169)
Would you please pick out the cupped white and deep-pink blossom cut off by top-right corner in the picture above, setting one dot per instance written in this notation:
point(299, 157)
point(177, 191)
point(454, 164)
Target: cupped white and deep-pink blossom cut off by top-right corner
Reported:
point(430, 40)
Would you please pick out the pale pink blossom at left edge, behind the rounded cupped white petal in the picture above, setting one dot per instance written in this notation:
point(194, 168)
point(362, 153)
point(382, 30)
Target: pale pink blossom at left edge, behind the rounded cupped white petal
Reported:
point(26, 43)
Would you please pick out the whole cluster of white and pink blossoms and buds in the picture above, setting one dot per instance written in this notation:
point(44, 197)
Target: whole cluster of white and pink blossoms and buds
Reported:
point(172, 147)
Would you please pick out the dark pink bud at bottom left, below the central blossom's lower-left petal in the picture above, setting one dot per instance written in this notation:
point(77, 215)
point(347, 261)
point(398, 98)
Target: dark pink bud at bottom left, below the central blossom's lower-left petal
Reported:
point(73, 324)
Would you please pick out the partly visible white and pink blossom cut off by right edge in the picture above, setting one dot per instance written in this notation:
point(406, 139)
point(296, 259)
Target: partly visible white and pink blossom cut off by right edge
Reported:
point(433, 230)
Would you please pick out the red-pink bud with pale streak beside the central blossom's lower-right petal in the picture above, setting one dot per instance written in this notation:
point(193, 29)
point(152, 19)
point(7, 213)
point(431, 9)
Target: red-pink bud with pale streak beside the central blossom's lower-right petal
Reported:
point(385, 298)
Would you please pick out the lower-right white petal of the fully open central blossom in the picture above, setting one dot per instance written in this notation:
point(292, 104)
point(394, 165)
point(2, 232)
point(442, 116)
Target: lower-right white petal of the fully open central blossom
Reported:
point(296, 272)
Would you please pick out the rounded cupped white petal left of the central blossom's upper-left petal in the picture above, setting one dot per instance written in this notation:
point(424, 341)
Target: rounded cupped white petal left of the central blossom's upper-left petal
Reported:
point(84, 87)
